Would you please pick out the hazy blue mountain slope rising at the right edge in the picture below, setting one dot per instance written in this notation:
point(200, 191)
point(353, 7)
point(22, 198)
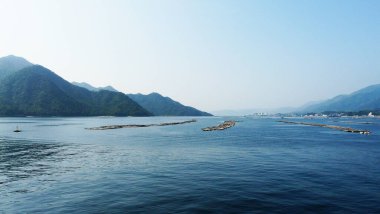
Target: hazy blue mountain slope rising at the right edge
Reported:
point(365, 99)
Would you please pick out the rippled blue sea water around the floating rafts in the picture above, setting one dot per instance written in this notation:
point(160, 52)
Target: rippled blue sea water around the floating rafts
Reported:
point(258, 166)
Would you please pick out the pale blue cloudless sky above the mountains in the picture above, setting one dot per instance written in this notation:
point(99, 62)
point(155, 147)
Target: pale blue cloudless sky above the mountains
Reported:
point(210, 54)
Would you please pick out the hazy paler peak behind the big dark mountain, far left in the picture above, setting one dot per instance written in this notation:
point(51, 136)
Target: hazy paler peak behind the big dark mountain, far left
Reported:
point(11, 64)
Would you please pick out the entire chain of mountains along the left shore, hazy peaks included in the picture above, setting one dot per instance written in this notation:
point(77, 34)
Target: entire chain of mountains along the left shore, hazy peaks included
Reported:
point(33, 90)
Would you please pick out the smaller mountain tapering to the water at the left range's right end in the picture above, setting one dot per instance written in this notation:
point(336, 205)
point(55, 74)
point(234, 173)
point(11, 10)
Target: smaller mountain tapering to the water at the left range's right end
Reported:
point(165, 106)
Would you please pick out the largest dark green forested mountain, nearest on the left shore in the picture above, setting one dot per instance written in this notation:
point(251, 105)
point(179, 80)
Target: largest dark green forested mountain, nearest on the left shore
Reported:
point(37, 91)
